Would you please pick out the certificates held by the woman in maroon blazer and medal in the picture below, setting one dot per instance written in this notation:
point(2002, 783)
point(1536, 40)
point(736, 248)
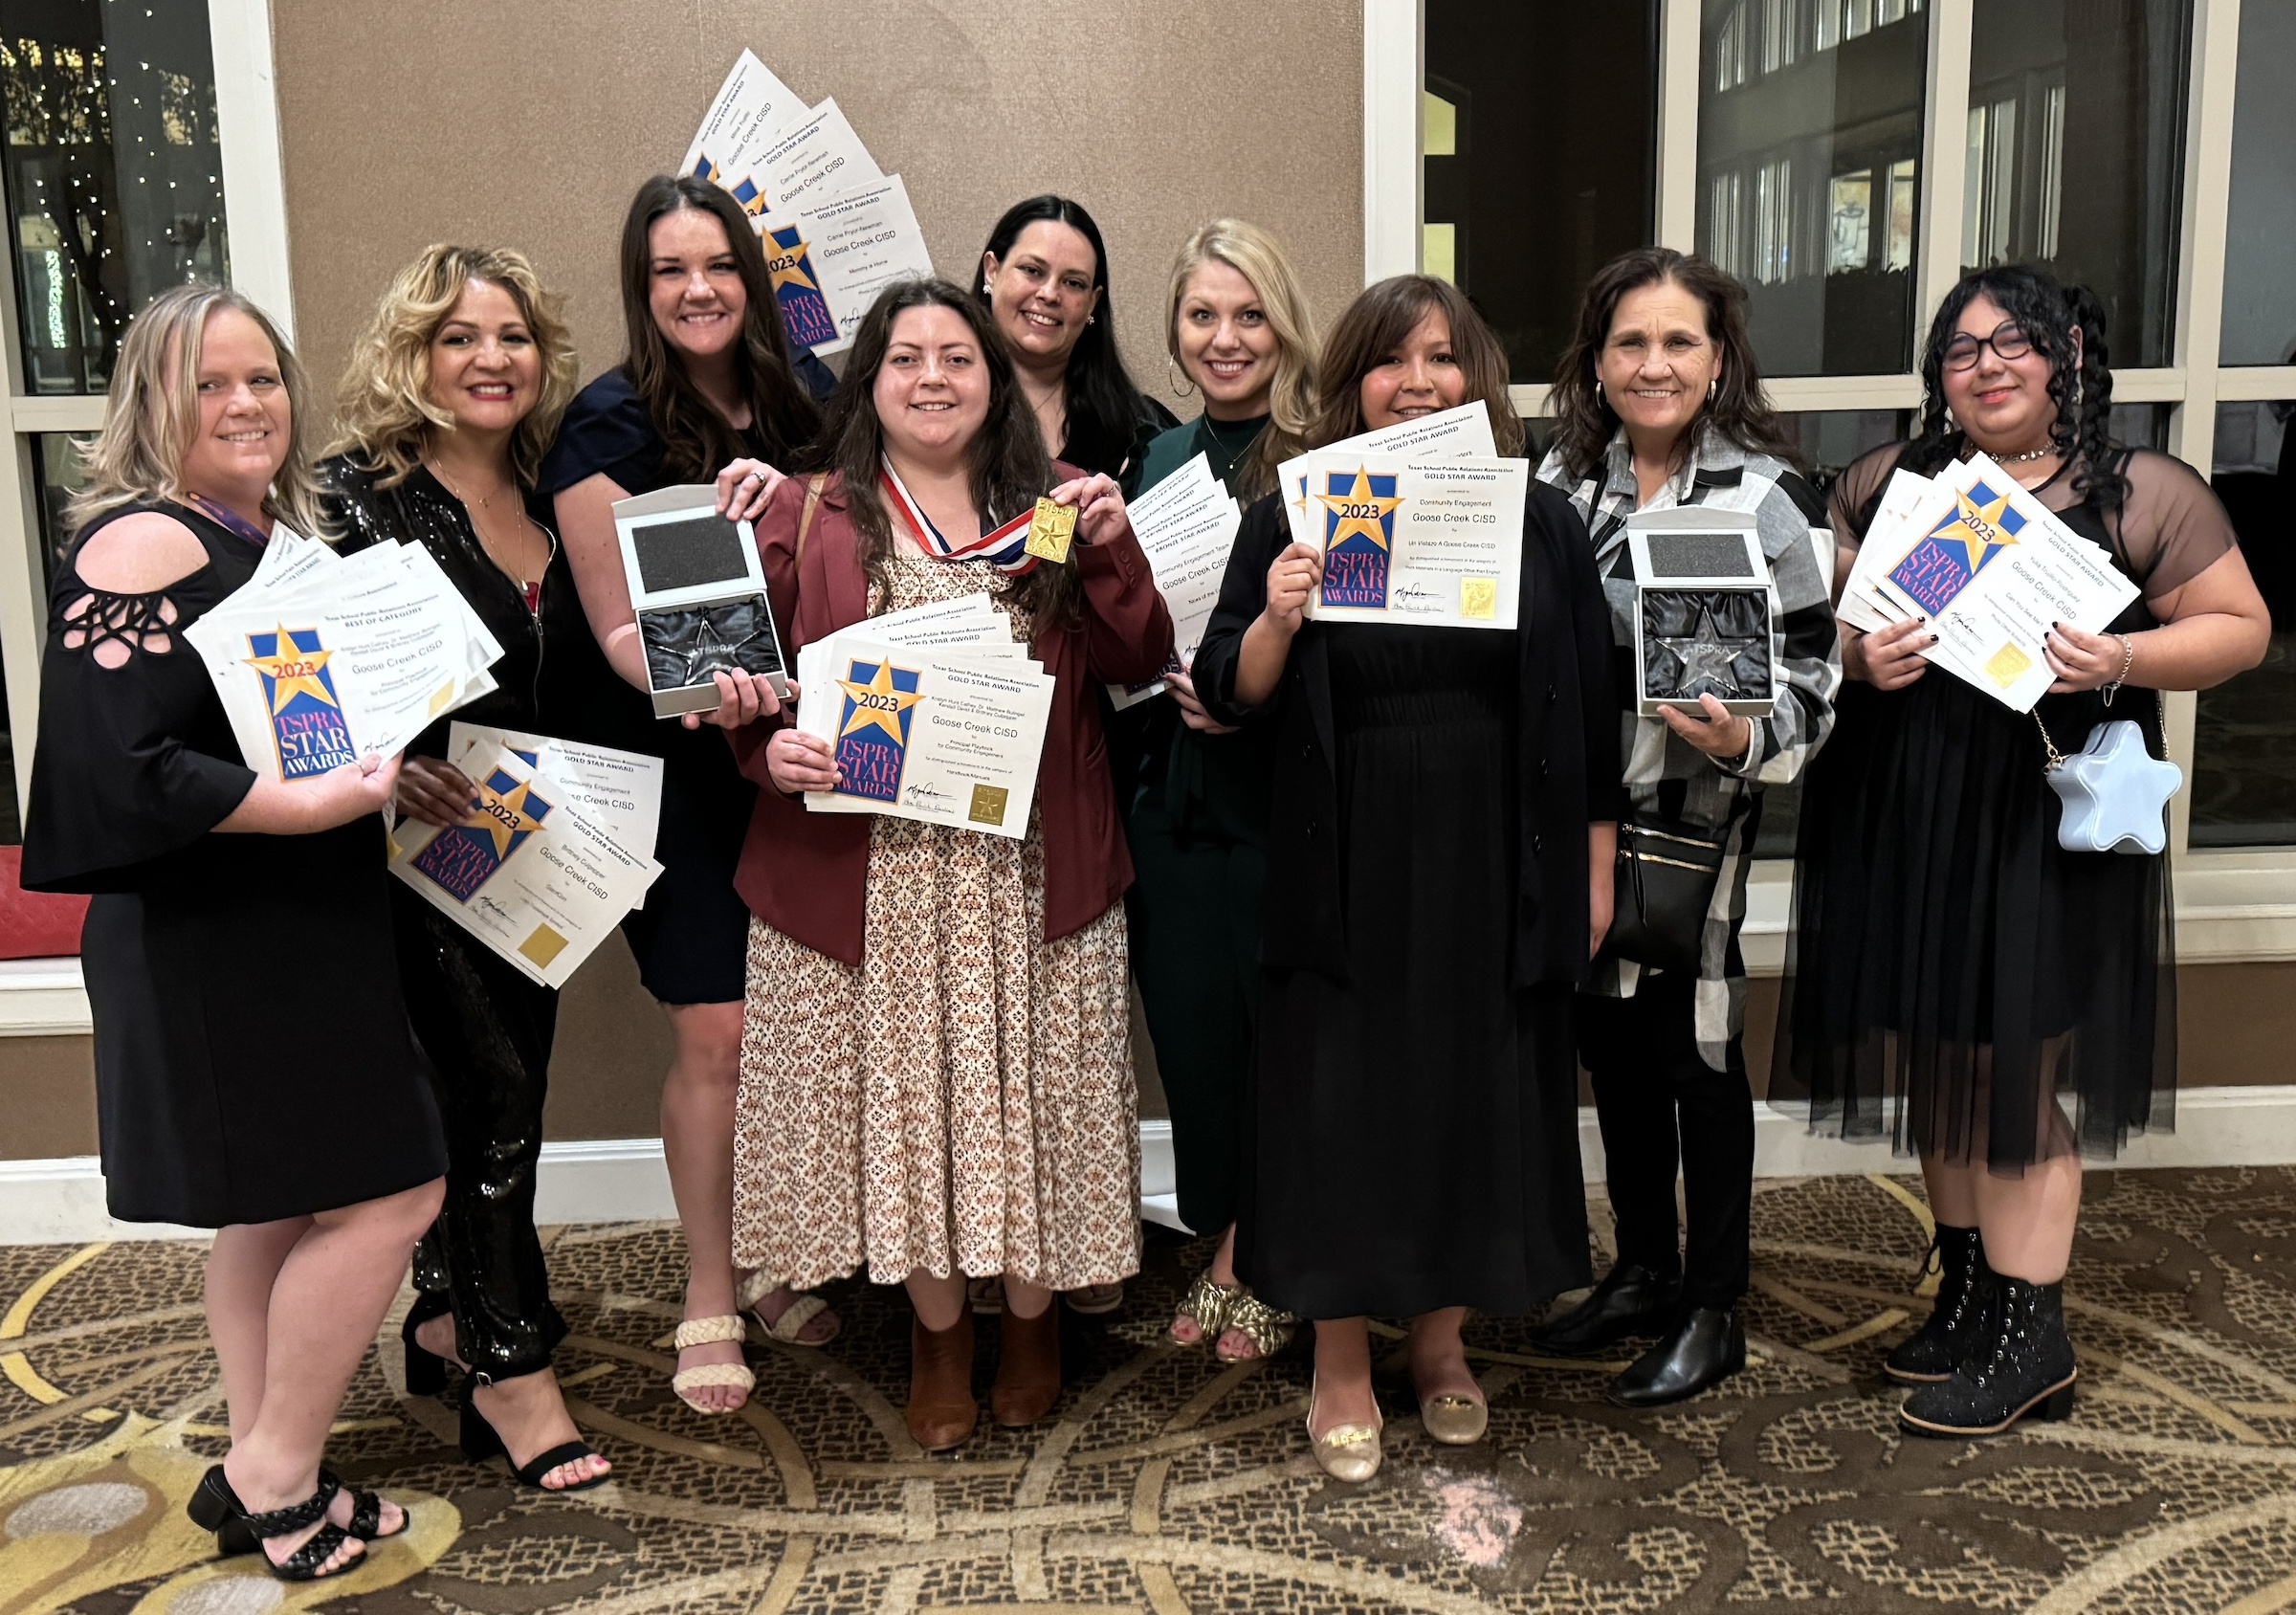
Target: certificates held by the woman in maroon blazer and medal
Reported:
point(933, 713)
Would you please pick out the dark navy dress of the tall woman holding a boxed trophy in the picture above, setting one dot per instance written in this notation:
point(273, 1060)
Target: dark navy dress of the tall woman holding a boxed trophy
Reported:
point(692, 936)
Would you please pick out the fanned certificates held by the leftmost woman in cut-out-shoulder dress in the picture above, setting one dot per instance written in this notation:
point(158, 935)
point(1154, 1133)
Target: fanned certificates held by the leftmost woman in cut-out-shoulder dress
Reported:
point(323, 658)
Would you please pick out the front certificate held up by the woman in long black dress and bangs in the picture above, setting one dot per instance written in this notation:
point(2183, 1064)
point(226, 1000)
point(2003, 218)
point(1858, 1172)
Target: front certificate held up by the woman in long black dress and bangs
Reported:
point(1436, 543)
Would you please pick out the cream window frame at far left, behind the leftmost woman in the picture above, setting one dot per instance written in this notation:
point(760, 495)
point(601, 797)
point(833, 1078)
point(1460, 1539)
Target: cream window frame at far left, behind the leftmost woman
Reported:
point(256, 215)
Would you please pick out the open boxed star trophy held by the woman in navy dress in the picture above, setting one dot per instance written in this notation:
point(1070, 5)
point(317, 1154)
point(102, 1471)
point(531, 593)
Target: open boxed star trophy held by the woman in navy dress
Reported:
point(697, 589)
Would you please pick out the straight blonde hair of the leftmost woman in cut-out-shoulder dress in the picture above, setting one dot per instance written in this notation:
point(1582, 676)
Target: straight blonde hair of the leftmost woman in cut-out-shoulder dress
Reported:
point(155, 412)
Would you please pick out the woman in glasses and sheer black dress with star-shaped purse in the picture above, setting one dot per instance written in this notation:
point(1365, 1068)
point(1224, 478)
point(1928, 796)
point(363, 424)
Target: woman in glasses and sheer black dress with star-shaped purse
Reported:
point(1948, 952)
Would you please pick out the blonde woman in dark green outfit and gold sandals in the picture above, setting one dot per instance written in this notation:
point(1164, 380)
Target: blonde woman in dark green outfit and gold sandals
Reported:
point(1195, 794)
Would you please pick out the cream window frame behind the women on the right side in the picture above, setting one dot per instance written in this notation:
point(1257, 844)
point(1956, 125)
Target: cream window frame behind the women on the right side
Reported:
point(2233, 904)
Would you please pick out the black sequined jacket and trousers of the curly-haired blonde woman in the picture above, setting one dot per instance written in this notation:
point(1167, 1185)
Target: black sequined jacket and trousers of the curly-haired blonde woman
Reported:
point(486, 1028)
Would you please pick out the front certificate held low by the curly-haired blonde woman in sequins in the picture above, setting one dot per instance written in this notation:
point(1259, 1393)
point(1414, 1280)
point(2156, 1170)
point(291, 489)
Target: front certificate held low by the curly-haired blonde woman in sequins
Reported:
point(527, 872)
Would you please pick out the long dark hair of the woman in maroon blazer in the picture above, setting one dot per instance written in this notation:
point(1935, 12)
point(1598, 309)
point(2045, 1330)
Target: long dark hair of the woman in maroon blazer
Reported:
point(1009, 465)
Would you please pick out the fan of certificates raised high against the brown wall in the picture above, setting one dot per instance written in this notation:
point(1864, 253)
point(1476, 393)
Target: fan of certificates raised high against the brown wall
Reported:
point(835, 226)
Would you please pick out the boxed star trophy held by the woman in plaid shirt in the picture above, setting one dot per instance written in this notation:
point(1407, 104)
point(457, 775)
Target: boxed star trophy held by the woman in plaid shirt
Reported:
point(1702, 612)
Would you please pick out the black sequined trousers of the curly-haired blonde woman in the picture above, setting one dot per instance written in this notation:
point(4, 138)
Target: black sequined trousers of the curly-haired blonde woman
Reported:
point(488, 1035)
